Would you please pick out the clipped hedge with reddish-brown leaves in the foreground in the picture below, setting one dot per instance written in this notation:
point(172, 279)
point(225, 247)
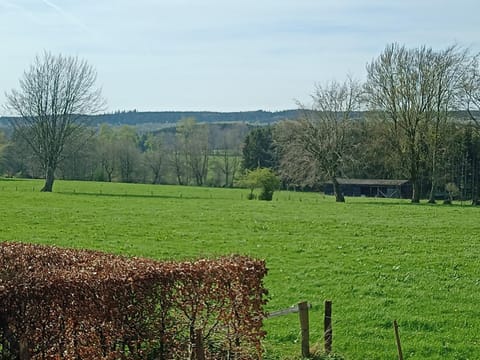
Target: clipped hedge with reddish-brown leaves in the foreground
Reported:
point(79, 304)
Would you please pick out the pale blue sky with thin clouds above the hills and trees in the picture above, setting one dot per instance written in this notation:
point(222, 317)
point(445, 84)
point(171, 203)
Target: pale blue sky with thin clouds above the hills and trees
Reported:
point(223, 55)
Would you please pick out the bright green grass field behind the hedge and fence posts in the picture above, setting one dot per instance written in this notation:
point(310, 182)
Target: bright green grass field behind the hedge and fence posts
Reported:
point(377, 260)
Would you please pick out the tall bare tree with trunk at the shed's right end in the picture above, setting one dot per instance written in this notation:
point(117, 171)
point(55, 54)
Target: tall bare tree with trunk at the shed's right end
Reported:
point(399, 86)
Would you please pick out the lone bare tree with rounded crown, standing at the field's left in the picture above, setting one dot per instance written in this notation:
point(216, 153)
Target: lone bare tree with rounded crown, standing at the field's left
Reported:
point(55, 93)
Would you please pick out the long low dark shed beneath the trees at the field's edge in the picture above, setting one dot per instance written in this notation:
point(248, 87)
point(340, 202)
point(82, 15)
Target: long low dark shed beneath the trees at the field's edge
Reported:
point(372, 188)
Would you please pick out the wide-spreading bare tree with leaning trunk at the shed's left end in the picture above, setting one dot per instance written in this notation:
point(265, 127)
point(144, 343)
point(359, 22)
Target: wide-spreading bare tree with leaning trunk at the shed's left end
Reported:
point(316, 146)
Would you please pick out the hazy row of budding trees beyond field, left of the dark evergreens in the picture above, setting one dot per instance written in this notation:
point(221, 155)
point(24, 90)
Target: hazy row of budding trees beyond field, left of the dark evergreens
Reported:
point(189, 154)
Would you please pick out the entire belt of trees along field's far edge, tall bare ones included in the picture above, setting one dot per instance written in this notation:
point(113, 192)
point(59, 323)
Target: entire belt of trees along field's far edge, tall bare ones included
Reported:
point(415, 117)
